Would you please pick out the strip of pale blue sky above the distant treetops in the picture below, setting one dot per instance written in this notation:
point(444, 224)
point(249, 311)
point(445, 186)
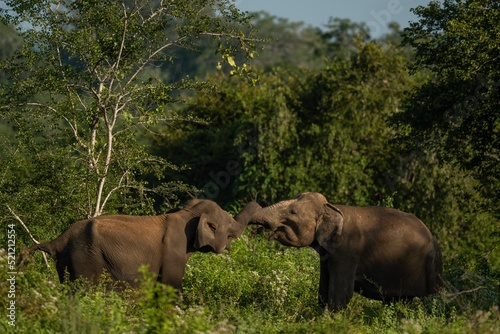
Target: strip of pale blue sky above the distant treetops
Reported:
point(375, 13)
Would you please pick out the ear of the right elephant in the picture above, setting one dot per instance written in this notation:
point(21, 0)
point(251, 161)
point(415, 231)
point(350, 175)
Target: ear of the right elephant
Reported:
point(329, 227)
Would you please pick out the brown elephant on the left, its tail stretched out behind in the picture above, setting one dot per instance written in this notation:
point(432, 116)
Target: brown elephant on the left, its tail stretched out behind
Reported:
point(120, 244)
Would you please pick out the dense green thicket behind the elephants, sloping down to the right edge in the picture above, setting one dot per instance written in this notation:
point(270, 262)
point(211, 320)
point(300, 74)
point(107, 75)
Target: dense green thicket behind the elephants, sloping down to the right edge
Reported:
point(326, 130)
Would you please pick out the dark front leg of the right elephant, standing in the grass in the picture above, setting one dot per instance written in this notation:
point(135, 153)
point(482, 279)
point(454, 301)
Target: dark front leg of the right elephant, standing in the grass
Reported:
point(341, 282)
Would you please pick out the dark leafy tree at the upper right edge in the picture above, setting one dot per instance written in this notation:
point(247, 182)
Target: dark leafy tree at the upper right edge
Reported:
point(456, 112)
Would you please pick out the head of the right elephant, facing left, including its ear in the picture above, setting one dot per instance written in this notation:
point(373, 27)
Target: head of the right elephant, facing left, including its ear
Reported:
point(301, 221)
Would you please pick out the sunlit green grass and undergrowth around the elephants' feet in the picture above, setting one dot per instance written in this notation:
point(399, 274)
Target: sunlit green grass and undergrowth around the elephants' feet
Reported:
point(258, 287)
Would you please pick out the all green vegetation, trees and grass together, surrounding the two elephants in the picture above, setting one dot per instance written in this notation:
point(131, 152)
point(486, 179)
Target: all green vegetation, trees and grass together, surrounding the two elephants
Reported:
point(94, 120)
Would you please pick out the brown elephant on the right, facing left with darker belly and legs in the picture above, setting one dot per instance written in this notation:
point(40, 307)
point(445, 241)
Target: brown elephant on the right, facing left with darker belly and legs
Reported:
point(381, 253)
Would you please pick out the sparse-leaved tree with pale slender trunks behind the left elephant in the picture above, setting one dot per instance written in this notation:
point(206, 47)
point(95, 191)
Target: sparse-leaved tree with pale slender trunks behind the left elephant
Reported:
point(85, 84)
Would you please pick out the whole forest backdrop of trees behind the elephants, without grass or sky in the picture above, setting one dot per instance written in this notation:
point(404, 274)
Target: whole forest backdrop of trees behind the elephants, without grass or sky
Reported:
point(408, 120)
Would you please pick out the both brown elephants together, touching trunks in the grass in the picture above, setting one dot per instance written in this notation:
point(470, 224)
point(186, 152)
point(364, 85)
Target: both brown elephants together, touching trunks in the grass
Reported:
point(381, 253)
